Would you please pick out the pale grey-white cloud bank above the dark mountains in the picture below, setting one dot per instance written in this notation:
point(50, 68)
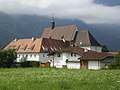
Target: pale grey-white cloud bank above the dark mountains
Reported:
point(85, 10)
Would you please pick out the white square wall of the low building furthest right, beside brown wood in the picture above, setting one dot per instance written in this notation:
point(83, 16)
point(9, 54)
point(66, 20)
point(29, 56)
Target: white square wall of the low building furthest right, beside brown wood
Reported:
point(94, 65)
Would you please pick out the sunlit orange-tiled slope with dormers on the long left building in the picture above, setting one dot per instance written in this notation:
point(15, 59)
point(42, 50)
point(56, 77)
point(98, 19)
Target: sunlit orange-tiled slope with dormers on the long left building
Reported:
point(25, 45)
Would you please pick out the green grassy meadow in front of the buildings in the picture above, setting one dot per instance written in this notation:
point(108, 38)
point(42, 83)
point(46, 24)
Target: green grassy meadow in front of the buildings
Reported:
point(58, 79)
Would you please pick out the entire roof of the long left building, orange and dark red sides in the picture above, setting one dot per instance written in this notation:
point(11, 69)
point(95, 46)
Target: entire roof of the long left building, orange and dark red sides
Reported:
point(38, 45)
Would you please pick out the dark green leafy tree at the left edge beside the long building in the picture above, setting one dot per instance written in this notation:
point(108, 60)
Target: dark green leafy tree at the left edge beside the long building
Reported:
point(7, 58)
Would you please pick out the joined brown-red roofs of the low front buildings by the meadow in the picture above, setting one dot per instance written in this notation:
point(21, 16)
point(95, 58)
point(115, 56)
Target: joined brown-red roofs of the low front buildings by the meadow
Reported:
point(88, 55)
